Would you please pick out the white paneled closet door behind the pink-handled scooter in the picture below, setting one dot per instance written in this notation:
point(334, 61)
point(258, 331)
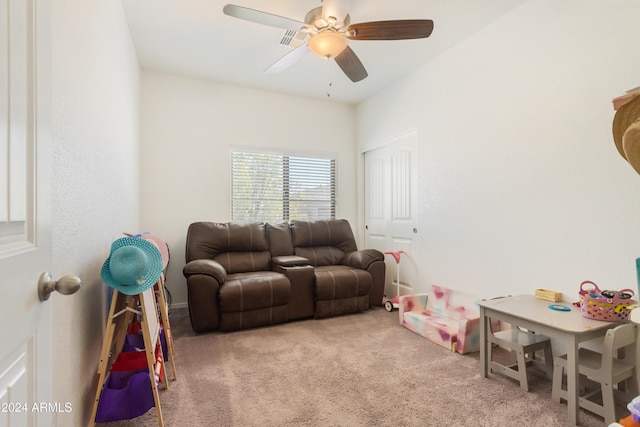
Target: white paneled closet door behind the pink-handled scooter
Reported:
point(390, 206)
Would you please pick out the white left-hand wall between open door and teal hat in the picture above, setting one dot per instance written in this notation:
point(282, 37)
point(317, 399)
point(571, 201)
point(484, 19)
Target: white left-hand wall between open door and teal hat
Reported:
point(94, 182)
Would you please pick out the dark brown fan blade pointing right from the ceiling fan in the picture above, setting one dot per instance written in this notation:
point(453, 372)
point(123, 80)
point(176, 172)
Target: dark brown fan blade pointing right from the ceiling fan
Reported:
point(391, 30)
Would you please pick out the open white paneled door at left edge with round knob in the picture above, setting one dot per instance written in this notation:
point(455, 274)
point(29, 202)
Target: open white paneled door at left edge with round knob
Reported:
point(25, 235)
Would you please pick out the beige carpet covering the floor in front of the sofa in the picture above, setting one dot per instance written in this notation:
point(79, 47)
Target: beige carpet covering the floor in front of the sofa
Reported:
point(356, 370)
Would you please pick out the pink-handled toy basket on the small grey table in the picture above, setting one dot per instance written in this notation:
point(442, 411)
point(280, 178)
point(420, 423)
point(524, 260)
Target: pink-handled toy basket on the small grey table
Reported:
point(610, 306)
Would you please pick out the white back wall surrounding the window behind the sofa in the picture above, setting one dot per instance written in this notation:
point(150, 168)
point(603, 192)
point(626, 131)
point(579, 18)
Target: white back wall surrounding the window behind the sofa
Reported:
point(188, 127)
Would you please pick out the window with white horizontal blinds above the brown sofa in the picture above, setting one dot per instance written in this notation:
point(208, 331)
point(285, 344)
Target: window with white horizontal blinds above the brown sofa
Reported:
point(277, 186)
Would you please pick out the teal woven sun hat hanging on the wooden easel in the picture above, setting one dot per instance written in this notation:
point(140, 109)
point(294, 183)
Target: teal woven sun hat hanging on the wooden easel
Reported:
point(133, 266)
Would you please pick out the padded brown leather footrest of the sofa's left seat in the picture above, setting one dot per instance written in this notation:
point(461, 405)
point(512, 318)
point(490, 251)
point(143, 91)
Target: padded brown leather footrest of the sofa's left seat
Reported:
point(252, 291)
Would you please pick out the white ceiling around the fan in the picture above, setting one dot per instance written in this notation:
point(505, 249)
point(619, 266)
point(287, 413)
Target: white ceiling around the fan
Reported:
point(194, 38)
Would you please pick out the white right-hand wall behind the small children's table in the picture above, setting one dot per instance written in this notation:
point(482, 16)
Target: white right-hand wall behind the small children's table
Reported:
point(520, 184)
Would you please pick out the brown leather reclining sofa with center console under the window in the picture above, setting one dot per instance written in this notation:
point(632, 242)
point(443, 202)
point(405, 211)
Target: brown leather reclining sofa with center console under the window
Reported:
point(243, 275)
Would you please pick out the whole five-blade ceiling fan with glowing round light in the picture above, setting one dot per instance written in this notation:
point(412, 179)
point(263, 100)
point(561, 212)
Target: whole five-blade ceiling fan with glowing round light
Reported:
point(329, 30)
